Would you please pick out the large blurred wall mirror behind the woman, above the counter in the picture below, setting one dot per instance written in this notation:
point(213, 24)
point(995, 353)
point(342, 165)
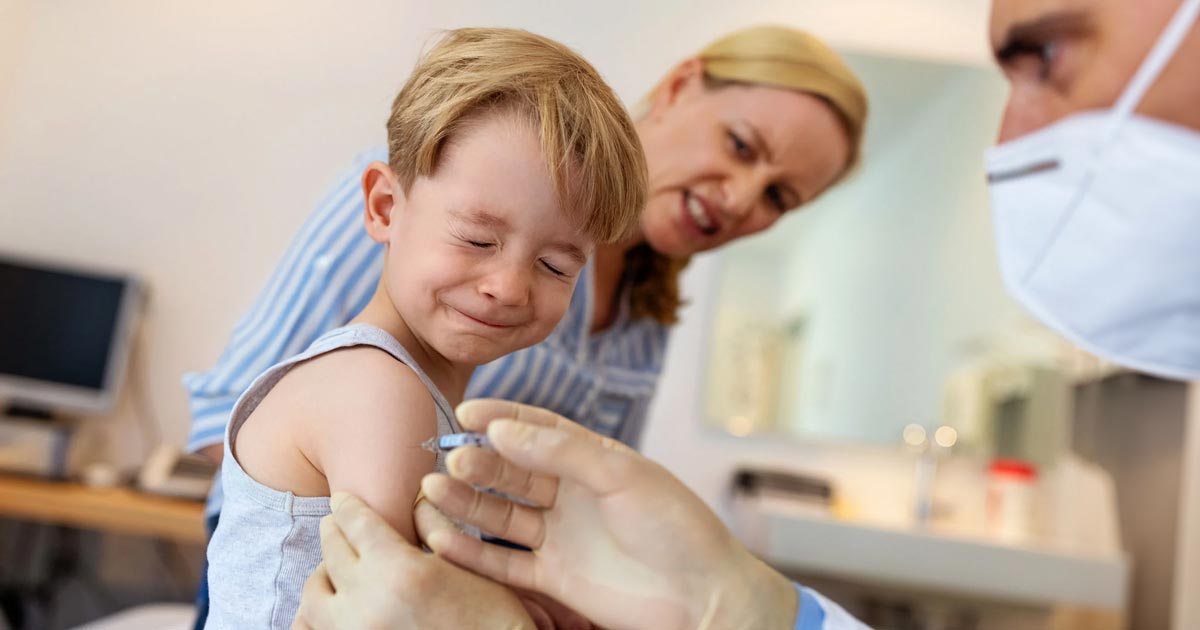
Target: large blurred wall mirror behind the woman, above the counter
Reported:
point(881, 305)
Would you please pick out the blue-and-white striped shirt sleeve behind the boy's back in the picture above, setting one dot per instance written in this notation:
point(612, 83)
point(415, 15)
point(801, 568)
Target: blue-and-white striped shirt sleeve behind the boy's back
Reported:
point(327, 277)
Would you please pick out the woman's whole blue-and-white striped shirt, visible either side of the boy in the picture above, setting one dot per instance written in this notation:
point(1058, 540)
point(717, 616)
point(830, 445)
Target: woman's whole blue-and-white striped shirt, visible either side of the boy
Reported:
point(329, 274)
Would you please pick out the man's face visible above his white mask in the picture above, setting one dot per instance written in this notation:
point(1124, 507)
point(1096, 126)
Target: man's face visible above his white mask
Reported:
point(1064, 57)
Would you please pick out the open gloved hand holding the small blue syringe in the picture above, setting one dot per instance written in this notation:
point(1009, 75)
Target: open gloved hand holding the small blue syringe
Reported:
point(617, 537)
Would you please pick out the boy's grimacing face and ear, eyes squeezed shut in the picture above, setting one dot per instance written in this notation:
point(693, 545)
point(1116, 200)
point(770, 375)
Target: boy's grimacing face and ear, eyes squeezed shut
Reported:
point(482, 259)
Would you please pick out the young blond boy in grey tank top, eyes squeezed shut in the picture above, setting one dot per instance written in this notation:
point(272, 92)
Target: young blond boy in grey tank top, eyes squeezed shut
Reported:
point(509, 159)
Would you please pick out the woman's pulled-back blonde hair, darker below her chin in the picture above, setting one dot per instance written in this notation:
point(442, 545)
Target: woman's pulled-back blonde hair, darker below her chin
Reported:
point(771, 56)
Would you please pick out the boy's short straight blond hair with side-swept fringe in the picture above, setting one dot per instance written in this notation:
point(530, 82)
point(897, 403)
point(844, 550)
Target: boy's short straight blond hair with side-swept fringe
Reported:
point(589, 141)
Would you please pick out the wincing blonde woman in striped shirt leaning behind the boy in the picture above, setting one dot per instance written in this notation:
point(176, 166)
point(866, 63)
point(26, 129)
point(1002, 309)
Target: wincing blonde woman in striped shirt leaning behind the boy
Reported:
point(760, 123)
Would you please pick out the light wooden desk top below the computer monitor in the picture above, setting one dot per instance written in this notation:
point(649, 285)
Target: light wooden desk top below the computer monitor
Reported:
point(117, 511)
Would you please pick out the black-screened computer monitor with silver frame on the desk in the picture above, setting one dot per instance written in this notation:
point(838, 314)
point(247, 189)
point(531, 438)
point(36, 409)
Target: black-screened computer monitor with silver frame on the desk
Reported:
point(65, 337)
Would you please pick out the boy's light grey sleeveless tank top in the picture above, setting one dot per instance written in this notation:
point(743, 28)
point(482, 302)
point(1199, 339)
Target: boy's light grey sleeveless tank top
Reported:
point(268, 542)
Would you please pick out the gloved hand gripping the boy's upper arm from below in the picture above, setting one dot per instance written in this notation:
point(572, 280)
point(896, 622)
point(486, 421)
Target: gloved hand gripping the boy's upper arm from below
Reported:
point(373, 578)
